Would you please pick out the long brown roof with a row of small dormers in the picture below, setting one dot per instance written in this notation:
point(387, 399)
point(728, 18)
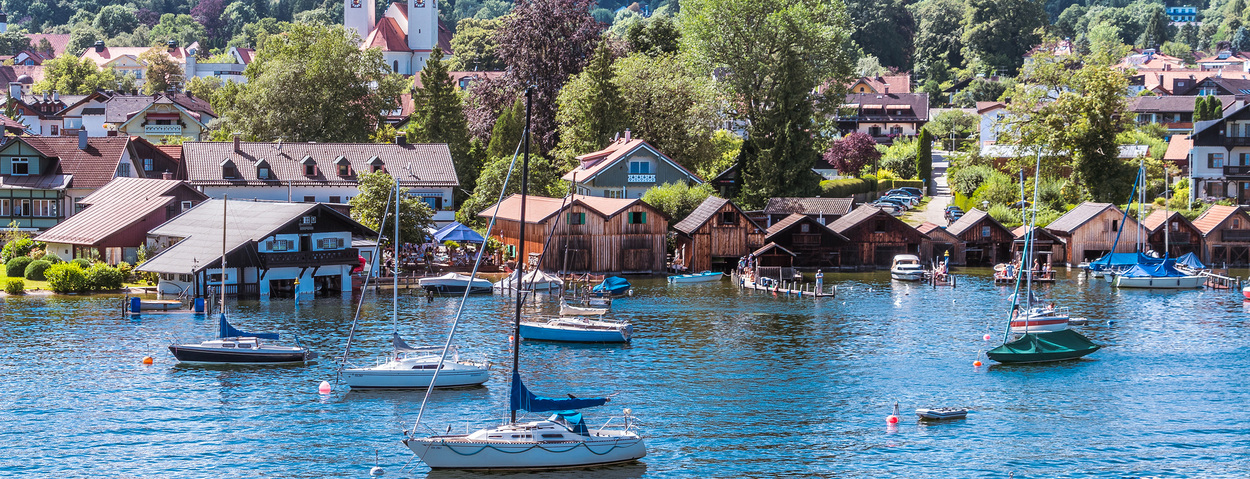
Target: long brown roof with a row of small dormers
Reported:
point(432, 163)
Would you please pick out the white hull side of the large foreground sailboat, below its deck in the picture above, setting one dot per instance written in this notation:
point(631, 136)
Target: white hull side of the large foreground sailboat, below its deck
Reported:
point(439, 453)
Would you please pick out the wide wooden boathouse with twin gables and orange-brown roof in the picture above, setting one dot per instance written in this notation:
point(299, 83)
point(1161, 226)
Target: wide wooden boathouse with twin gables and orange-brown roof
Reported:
point(591, 234)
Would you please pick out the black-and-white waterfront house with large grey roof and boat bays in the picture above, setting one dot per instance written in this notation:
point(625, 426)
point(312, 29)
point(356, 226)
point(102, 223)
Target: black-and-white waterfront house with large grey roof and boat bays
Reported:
point(273, 250)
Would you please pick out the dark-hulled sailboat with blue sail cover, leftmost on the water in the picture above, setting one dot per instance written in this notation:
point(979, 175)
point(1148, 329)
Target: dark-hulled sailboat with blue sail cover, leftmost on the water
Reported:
point(236, 347)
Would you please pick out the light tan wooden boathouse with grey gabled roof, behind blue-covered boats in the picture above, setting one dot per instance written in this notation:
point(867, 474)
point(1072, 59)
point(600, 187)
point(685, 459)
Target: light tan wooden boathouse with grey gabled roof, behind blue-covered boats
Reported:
point(1092, 229)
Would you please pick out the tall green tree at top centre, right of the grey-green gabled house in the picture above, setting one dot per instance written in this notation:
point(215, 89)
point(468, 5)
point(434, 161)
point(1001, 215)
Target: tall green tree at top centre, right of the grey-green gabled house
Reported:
point(773, 54)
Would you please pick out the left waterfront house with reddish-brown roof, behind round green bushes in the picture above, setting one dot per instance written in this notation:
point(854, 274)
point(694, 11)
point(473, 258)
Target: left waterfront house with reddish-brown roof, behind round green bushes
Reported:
point(116, 219)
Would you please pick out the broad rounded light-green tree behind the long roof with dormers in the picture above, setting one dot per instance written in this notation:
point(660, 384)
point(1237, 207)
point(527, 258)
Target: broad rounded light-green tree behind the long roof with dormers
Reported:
point(326, 87)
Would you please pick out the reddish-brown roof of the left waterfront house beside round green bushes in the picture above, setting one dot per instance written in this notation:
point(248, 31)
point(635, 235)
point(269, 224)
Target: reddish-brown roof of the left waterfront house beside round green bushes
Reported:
point(113, 208)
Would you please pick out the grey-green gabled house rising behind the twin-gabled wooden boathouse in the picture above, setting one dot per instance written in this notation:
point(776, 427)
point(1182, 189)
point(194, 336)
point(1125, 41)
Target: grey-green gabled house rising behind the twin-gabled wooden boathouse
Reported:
point(627, 168)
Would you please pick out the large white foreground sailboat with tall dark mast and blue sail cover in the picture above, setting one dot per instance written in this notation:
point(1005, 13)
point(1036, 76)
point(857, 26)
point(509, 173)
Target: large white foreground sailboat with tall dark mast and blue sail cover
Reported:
point(562, 441)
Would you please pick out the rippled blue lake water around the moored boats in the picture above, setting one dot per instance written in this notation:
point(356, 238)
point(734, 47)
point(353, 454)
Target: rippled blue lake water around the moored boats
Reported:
point(727, 383)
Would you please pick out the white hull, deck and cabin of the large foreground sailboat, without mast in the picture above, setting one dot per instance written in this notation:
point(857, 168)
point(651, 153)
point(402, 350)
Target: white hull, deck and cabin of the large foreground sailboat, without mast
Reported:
point(563, 441)
